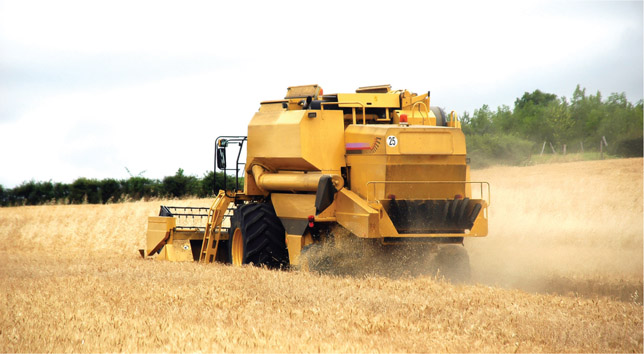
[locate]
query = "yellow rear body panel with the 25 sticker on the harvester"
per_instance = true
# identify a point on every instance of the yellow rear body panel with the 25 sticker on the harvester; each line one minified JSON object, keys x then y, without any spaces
{"x":418,"y":154}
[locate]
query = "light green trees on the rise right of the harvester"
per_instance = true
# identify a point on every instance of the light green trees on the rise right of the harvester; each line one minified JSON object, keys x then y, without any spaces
{"x":513,"y":135}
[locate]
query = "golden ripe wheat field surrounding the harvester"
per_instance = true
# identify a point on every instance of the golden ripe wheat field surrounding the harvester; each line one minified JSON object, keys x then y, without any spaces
{"x":561,"y":271}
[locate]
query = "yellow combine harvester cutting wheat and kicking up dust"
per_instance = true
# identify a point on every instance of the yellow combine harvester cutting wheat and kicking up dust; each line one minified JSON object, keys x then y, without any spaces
{"x":378,"y":163}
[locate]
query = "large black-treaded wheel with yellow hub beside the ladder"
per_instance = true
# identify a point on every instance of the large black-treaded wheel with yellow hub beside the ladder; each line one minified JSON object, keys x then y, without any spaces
{"x":257,"y":237}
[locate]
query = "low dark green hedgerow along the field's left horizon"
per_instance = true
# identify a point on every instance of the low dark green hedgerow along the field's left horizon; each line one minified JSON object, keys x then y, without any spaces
{"x":94,"y":191}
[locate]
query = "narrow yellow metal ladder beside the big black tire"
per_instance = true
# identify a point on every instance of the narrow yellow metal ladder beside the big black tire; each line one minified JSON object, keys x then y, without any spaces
{"x":216,"y":214}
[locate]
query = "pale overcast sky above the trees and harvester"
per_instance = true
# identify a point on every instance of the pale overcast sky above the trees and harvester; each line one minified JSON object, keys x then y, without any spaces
{"x":88,"y":88}
